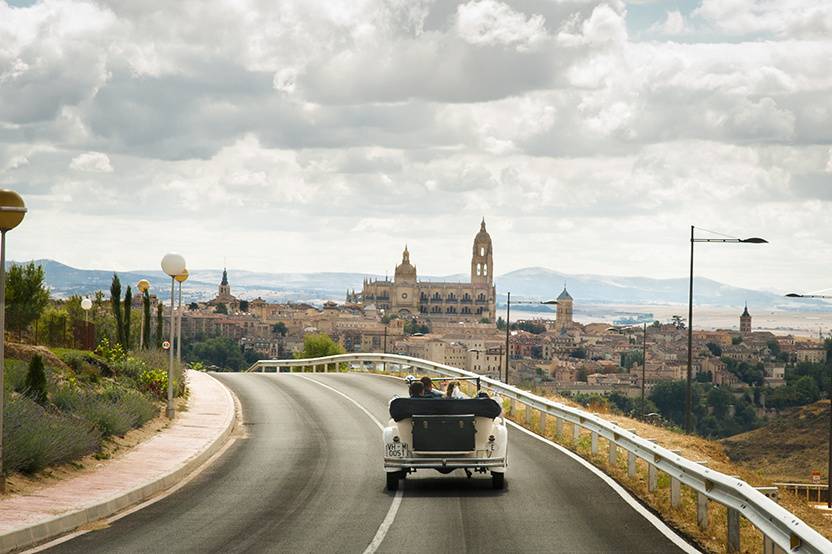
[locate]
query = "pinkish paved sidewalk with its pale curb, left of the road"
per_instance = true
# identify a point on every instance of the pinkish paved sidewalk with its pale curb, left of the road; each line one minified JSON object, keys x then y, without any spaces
{"x":151,"y":467}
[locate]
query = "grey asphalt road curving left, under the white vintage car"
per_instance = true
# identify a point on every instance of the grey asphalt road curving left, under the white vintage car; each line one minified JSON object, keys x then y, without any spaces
{"x":307,"y":477}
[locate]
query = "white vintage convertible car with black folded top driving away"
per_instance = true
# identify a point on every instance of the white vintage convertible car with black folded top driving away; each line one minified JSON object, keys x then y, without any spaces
{"x":445,"y":434}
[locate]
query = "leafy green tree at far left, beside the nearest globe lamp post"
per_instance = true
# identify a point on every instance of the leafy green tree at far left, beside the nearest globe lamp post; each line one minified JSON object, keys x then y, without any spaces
{"x":26,"y":296}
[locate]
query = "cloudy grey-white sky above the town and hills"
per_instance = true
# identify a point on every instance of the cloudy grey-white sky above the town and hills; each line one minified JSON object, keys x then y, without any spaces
{"x":314,"y":135}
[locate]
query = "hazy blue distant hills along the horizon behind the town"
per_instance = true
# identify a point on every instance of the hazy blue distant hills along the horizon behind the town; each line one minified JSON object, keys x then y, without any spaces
{"x":529,"y":283}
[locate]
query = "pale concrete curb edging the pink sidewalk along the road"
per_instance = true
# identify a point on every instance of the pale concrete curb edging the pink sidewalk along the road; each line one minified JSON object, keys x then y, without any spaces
{"x":32,"y":535}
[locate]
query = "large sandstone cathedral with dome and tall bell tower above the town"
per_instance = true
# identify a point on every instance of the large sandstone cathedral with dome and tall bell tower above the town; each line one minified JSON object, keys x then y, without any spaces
{"x":407,"y":296}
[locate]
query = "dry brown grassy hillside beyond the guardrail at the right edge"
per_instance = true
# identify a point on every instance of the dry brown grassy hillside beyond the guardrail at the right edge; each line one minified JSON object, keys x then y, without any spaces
{"x":788,"y":448}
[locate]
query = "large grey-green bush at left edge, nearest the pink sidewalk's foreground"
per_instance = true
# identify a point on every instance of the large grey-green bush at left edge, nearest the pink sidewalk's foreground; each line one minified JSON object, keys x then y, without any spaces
{"x":34,"y":438}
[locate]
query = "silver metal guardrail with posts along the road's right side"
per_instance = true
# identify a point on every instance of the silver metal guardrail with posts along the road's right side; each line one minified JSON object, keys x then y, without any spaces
{"x":778,"y":526}
